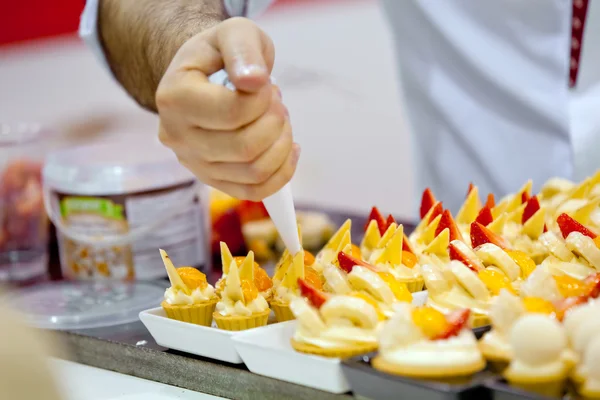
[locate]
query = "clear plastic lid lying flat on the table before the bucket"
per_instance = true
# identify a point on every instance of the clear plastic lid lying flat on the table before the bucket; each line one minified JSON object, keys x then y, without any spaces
{"x":84,"y":305}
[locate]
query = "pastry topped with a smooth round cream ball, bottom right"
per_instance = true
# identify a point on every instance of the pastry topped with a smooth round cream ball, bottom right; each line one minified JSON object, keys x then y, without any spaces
{"x":540,"y":361}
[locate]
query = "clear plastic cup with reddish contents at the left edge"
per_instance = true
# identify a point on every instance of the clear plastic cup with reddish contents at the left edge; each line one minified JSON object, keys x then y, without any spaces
{"x":23,"y":221}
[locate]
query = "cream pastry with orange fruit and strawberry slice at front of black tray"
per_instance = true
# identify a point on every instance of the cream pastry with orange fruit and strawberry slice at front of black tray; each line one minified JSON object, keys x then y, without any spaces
{"x":423,"y":343}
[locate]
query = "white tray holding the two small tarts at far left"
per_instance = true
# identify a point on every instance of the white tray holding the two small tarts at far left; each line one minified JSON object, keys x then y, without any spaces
{"x":204,"y":341}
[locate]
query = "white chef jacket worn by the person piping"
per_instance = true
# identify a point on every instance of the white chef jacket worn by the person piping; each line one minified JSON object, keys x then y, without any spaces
{"x":486,"y":87}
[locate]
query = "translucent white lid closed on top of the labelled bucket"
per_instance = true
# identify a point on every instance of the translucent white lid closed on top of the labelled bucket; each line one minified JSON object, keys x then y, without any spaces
{"x":114,"y":168}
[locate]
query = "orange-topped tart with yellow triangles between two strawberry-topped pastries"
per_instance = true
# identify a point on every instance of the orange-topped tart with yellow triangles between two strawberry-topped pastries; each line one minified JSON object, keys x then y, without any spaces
{"x":388,"y":257}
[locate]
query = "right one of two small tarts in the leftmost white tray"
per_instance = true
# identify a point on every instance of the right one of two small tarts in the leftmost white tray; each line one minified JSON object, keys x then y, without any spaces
{"x":241,"y":305}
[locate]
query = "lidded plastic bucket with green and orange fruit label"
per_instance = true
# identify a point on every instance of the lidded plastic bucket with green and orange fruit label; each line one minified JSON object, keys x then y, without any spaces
{"x":115,"y":204}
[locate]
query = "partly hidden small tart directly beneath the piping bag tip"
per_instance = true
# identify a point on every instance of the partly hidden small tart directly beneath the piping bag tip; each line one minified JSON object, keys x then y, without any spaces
{"x":290,"y":270}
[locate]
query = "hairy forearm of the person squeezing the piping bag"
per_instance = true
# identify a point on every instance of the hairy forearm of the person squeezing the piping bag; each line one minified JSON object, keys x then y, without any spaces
{"x":140,"y":38}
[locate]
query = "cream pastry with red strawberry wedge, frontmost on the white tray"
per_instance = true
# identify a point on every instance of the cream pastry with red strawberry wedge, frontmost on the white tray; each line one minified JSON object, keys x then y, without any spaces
{"x":333,"y":325}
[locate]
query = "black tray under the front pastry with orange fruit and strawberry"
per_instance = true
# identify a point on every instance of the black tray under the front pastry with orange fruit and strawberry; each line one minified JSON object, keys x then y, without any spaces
{"x":366,"y":381}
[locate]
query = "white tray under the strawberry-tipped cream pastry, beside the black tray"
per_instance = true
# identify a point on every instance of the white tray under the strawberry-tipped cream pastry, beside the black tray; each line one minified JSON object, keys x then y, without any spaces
{"x":267,"y":351}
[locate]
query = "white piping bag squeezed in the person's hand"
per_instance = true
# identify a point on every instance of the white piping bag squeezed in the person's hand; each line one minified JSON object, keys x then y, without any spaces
{"x":280,"y":205}
